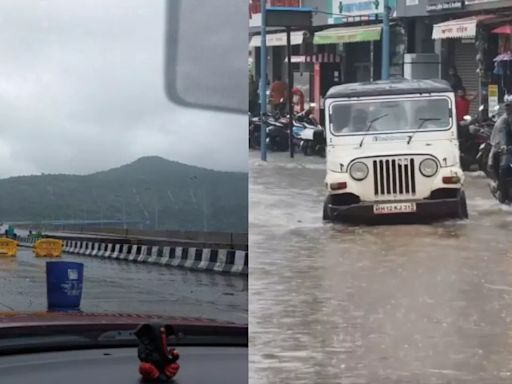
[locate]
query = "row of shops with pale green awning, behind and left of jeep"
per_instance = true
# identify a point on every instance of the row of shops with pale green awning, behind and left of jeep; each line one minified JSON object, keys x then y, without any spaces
{"x":341,"y":29}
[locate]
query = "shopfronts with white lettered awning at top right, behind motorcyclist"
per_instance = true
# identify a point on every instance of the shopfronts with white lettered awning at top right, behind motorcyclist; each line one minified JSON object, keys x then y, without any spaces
{"x":464,"y":34}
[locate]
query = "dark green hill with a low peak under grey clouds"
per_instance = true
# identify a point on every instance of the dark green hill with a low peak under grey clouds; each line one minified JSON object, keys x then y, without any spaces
{"x":185,"y":197}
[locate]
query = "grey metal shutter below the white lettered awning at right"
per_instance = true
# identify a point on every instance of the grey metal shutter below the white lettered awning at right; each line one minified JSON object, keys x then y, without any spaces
{"x":465,"y":61}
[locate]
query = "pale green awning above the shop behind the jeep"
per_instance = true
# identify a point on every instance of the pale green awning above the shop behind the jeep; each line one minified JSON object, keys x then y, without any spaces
{"x":348,"y":34}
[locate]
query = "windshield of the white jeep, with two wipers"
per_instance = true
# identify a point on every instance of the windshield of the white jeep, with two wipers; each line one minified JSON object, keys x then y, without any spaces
{"x":390,"y":115}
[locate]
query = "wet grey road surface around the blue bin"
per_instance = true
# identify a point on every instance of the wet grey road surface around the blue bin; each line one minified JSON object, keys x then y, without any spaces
{"x":116,"y":286}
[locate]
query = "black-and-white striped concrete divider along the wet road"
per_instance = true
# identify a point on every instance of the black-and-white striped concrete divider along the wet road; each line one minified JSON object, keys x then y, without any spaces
{"x":215,"y":260}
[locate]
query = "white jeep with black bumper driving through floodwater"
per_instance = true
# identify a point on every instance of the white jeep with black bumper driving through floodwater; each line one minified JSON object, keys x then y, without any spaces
{"x":392,"y":149}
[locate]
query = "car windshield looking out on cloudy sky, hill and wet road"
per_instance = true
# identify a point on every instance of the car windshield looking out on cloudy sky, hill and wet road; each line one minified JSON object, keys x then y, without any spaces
{"x":147,"y":196}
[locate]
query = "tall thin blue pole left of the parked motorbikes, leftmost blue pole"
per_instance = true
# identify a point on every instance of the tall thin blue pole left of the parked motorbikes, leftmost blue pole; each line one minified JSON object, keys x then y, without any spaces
{"x":263,"y":80}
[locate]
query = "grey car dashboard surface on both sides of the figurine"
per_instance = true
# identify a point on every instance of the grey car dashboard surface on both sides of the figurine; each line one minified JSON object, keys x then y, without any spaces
{"x":212,"y":365}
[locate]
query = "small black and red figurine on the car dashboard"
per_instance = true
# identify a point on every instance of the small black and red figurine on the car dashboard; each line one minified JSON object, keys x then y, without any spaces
{"x":157,"y":362}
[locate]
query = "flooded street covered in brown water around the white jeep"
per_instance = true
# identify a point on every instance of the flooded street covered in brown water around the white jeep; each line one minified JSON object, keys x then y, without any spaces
{"x":383,"y":304}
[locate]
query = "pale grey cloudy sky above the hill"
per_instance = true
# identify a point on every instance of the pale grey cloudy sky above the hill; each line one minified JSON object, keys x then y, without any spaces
{"x":82,"y":90}
